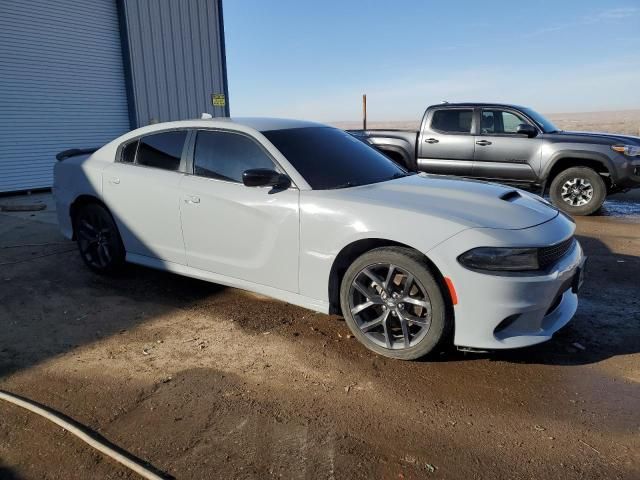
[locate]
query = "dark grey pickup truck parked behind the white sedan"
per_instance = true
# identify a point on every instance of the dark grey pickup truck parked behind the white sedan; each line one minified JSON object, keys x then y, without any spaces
{"x":518,"y":146}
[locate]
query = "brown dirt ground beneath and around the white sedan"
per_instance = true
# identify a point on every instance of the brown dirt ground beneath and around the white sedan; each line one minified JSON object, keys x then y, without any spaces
{"x":210,"y":382}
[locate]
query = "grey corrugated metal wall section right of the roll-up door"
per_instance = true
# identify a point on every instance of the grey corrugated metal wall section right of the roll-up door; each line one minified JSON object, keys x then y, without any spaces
{"x":176,"y":58}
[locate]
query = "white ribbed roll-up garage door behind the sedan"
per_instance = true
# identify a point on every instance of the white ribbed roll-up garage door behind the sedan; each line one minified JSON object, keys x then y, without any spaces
{"x":61,"y":84}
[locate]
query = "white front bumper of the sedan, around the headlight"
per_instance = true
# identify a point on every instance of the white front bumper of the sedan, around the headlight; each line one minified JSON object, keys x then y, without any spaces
{"x":510,"y":311}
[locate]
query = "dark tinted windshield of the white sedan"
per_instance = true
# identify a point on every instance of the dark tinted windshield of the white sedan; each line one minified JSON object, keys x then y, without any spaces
{"x":329,"y":158}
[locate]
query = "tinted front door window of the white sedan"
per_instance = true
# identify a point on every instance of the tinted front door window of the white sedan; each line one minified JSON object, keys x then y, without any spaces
{"x":226,"y":156}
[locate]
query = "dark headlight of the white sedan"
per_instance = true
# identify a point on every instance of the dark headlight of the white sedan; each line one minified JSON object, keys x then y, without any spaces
{"x":498,"y":258}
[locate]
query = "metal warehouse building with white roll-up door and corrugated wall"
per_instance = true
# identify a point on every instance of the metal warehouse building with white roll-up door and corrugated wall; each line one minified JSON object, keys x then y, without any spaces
{"x":78,"y":73}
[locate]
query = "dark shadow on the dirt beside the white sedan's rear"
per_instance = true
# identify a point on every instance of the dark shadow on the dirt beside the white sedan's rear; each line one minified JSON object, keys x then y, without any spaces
{"x":51,"y":303}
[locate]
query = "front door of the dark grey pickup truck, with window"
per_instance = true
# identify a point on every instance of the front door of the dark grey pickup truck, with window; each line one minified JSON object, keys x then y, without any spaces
{"x":500,"y":152}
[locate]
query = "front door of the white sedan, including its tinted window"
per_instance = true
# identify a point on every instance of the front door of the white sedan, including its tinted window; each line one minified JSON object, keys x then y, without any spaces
{"x":247,"y":233}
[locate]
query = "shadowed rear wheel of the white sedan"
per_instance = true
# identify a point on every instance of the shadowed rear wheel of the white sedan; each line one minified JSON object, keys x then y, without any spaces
{"x":98,"y":239}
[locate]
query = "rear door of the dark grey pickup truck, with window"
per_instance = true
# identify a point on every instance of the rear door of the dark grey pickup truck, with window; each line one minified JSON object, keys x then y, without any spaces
{"x":446,"y":142}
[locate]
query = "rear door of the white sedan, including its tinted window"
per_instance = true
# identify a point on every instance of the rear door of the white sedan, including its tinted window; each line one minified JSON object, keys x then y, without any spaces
{"x":142,"y":191}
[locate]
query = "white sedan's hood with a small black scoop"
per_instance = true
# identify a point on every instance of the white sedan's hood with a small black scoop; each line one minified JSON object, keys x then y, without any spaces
{"x":471,"y":203}
